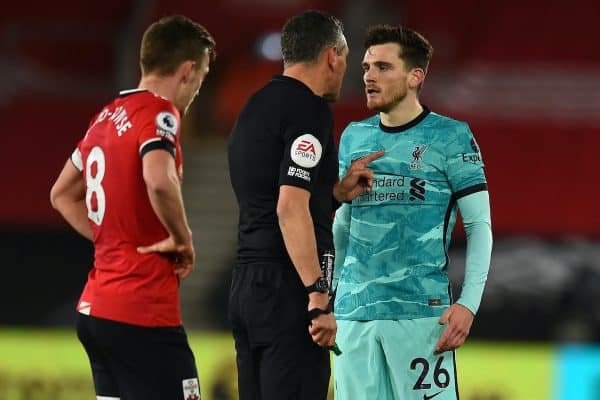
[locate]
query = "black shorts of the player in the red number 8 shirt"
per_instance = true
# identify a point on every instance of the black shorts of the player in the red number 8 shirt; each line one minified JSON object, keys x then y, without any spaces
{"x":132,"y":362}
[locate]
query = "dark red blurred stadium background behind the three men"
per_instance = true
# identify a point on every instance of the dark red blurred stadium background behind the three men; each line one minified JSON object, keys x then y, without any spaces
{"x":526,"y":76}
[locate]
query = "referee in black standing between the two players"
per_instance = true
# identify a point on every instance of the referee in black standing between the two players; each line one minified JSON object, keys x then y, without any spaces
{"x":283,"y":169}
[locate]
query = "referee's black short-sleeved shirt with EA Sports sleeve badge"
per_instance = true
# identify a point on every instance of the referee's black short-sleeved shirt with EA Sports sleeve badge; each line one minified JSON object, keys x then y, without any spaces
{"x":283,"y":136}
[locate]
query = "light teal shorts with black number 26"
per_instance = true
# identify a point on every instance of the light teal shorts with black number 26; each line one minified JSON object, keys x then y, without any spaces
{"x":393,"y":360}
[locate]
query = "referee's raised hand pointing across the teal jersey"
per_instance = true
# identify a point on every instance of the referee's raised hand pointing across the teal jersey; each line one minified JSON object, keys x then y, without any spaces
{"x":358,"y":178}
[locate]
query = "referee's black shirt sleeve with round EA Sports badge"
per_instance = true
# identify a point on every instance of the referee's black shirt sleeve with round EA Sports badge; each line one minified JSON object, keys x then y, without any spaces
{"x":305,"y":137}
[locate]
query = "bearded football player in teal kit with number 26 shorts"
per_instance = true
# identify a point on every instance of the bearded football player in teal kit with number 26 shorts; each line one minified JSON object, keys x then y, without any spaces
{"x":398,"y":324}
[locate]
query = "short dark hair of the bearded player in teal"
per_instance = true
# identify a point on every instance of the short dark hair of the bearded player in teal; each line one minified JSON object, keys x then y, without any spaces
{"x":415,"y":50}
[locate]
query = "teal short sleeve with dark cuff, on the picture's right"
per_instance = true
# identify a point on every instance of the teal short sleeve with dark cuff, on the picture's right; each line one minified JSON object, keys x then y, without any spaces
{"x":464,"y":164}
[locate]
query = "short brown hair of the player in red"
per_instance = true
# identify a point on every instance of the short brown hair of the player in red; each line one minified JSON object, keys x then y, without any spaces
{"x":172,"y":40}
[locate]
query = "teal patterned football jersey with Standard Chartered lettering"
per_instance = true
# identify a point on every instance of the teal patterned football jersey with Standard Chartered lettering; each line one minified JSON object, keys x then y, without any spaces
{"x":395,"y":264}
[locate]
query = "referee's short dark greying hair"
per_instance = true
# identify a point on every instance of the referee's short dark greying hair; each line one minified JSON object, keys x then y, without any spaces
{"x":305,"y":35}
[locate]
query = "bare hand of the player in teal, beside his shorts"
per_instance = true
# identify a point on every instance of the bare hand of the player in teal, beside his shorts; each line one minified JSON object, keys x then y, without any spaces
{"x":458,"y":320}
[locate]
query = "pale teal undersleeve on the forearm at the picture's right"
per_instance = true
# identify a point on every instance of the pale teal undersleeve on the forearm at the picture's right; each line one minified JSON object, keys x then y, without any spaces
{"x":475,"y":212}
